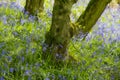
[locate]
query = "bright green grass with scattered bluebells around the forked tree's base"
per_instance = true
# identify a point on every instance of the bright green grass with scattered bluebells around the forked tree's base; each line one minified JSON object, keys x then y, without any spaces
{"x":21,"y":39}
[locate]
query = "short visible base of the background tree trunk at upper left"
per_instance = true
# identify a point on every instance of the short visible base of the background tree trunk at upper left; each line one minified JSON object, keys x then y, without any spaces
{"x":34,"y":6}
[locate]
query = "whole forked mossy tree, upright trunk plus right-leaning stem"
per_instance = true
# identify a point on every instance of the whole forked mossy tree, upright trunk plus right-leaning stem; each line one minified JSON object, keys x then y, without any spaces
{"x":61,"y":31}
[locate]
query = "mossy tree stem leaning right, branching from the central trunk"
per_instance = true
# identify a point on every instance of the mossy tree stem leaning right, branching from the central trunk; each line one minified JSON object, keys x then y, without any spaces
{"x":89,"y":17}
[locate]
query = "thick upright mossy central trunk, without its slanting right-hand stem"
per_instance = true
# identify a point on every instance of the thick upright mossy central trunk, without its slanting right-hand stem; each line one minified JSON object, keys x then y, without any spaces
{"x":58,"y":37}
